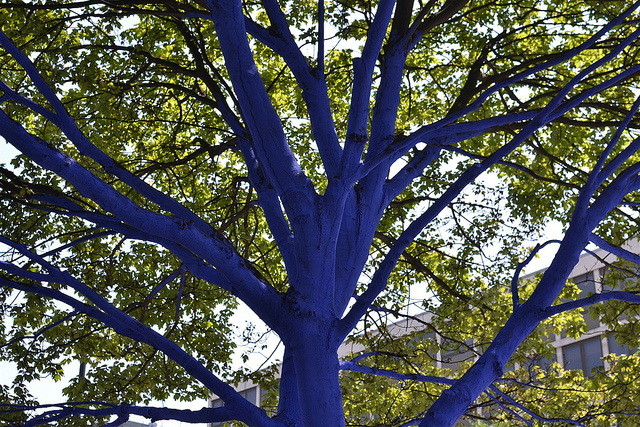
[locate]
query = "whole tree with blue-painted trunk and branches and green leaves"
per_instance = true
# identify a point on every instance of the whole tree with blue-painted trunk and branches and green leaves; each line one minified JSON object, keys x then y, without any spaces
{"x":314,"y":162}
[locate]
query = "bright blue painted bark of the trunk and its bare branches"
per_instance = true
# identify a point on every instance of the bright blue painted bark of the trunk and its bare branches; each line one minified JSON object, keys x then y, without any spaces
{"x":325,"y":239}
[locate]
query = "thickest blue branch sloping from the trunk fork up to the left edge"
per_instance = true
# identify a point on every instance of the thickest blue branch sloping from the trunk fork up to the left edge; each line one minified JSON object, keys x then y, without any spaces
{"x":175,"y":232}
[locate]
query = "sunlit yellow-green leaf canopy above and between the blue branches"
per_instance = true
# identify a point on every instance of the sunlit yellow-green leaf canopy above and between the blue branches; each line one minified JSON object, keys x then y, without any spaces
{"x":146,"y":83}
